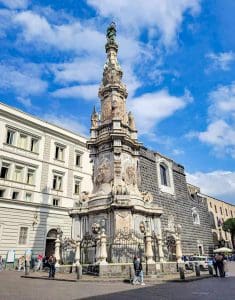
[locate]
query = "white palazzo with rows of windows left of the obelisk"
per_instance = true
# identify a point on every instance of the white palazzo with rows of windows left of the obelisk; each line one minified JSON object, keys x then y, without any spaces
{"x":43,"y":169}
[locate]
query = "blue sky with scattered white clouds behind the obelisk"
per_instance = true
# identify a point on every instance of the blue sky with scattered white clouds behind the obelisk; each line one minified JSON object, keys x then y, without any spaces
{"x":178,"y":58}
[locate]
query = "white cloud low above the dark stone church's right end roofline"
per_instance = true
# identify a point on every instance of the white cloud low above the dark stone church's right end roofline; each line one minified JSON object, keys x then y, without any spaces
{"x":219,"y":184}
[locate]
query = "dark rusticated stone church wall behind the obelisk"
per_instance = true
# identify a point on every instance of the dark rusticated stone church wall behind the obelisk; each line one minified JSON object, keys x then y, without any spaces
{"x":179,"y":205}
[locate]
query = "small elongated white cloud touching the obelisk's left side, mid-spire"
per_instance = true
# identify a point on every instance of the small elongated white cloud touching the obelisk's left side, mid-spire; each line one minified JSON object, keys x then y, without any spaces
{"x":86,"y":92}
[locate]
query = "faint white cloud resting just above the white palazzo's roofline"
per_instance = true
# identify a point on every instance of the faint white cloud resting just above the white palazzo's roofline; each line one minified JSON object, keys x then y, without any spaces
{"x":69,"y":122}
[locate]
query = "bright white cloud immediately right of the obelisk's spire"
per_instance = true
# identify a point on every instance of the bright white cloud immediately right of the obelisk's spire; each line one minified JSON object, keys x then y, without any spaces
{"x":149,"y":109}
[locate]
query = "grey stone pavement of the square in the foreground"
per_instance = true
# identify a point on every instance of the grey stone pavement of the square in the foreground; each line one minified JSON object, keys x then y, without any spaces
{"x":13,"y":287}
